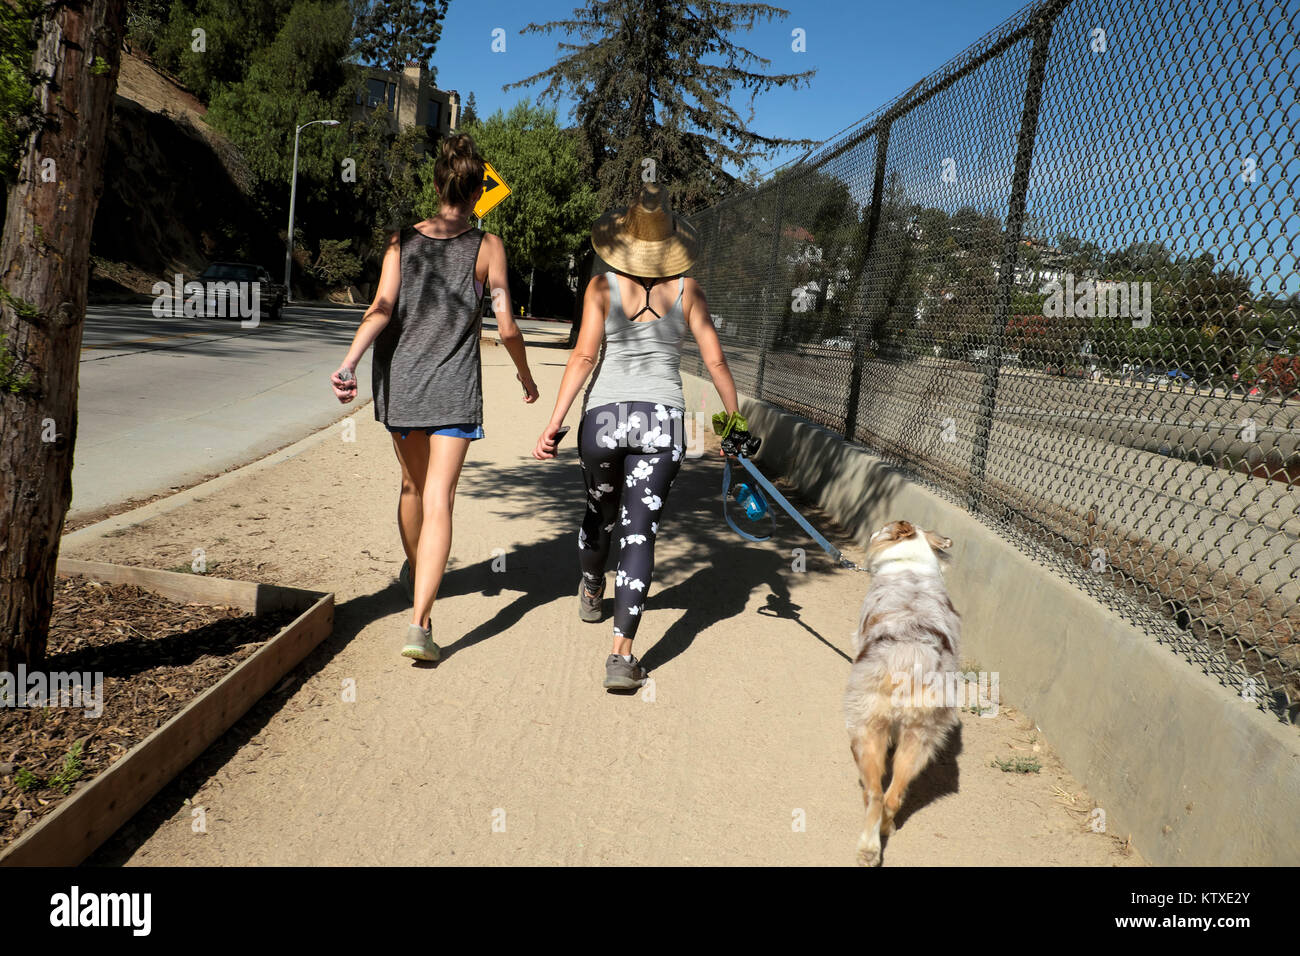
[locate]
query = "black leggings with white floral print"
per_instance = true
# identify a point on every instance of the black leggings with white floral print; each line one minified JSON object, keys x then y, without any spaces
{"x":631,"y":453}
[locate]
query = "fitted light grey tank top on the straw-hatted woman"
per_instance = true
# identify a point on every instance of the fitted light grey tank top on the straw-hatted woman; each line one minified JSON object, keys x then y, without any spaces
{"x":640,"y":362}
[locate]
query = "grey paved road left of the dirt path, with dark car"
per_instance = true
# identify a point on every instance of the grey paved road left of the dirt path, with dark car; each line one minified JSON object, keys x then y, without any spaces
{"x":166,"y":403}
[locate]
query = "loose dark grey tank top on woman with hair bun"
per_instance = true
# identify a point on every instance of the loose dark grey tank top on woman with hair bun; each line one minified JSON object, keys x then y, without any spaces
{"x":426,"y":365}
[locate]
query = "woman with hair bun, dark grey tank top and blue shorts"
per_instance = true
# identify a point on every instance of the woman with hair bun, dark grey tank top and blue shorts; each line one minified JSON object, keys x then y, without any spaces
{"x":427,"y":378}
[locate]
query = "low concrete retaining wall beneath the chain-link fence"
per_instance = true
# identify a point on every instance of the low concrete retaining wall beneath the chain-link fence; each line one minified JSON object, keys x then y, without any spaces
{"x":1195,"y":775}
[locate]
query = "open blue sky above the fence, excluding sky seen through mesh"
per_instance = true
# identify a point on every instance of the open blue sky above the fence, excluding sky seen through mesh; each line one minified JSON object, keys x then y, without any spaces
{"x":865,"y":55}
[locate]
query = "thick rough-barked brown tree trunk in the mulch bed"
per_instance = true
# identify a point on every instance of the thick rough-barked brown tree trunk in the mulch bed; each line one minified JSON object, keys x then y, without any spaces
{"x":45,"y":258}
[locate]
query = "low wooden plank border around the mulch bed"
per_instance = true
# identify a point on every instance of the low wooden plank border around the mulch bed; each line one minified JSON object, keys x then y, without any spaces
{"x":94,"y":814}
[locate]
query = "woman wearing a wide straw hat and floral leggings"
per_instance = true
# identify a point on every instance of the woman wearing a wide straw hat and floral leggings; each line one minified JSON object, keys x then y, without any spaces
{"x":632,"y":432}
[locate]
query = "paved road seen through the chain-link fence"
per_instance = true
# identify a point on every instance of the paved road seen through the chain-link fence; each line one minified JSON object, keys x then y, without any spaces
{"x":1065,"y":447}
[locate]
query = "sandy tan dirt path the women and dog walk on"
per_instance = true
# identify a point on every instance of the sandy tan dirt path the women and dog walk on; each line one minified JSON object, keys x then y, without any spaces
{"x":509,"y":751}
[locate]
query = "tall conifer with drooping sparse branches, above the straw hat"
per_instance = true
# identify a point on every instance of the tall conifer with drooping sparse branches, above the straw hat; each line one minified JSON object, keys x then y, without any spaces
{"x":653,"y":81}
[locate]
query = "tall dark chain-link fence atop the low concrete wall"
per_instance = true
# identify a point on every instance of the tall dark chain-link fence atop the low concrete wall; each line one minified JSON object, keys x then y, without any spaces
{"x":1056,"y":282}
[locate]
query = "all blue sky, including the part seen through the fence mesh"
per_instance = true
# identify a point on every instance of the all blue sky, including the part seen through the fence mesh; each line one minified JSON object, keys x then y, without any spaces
{"x":1108,"y":167}
